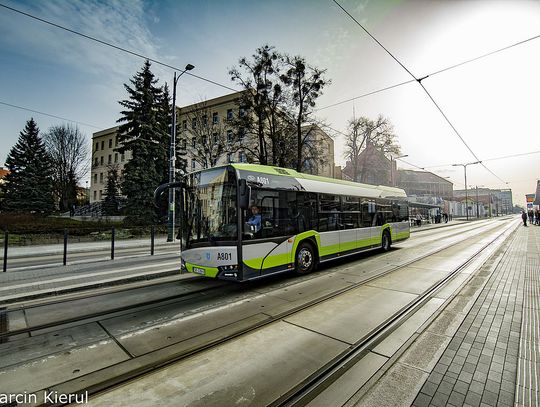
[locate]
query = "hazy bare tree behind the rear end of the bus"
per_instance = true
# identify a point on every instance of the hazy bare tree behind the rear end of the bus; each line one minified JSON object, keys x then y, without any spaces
{"x":361,"y":132}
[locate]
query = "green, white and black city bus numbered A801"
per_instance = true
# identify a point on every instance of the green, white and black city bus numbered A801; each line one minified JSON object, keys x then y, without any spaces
{"x":246,"y":221}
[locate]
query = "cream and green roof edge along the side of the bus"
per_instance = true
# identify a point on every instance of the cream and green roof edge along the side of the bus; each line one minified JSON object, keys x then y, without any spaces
{"x":314,"y":183}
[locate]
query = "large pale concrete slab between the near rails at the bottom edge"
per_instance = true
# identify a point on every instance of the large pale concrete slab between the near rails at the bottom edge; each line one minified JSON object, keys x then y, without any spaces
{"x":231,"y":374}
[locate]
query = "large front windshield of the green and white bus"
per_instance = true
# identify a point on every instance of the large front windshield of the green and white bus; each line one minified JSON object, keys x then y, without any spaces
{"x":210,"y":207}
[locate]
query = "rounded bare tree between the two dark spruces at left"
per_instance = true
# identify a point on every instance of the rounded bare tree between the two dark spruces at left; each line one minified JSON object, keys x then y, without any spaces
{"x":68,"y":149}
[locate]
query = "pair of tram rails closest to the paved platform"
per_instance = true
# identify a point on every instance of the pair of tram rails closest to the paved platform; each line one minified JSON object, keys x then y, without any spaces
{"x":108,"y":378}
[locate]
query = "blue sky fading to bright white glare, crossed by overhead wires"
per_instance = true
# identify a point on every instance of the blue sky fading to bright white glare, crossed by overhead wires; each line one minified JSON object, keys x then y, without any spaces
{"x":492,"y":102}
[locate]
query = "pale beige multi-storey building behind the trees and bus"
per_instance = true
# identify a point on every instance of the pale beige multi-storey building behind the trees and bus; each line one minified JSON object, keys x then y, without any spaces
{"x":207,"y":120}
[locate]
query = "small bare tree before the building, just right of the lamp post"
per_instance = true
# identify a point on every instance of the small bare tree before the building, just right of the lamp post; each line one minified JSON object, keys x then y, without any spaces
{"x":208,"y":141}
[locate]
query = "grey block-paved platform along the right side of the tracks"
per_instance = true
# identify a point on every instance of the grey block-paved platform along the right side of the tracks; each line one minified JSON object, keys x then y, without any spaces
{"x":482,"y":350}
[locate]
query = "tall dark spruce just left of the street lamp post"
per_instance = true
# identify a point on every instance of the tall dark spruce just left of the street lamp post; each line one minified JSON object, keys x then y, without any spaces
{"x":145,"y":132}
